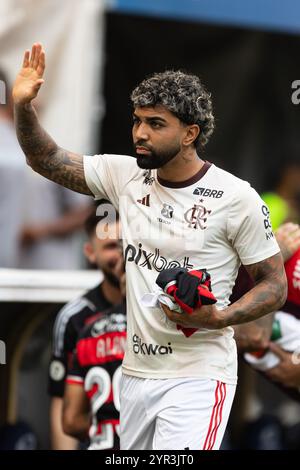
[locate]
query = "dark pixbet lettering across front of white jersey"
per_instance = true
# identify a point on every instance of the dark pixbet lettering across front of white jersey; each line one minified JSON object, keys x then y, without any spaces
{"x":154,"y":260}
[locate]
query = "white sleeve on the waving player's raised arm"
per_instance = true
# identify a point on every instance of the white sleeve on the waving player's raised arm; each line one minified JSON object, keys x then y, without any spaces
{"x":107,"y":175}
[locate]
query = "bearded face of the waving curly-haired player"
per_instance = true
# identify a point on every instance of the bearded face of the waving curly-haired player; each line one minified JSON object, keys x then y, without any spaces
{"x":157,"y":136}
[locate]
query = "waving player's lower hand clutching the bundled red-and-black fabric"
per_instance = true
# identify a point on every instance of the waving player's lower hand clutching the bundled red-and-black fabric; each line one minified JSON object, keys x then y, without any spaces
{"x":208,"y":316}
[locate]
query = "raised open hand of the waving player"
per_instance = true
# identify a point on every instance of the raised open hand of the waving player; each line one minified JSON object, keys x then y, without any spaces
{"x":30,"y":78}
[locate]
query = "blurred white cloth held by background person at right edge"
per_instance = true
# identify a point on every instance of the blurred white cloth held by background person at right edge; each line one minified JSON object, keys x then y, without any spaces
{"x":289,"y":340}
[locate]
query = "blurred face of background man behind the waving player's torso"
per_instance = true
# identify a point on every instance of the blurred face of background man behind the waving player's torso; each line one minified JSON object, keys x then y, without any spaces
{"x":103,"y":249}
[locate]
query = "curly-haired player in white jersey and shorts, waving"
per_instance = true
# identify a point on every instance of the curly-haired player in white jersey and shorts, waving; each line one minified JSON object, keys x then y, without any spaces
{"x":176,"y":210}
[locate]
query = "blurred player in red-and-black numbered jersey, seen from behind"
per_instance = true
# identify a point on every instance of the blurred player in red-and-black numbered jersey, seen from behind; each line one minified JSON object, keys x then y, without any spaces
{"x":91,"y":400}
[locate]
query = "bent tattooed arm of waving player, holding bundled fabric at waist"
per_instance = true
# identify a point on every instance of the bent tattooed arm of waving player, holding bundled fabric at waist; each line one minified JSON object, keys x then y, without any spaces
{"x":268,"y":295}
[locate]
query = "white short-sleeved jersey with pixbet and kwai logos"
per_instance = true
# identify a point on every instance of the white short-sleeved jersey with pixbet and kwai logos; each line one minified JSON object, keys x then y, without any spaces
{"x":213,"y":221}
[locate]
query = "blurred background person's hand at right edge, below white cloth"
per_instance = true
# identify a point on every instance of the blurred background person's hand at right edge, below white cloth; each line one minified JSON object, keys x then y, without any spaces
{"x":288,"y":370}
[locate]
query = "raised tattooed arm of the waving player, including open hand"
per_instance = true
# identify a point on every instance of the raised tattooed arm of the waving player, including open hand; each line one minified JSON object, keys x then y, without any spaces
{"x":42,"y":153}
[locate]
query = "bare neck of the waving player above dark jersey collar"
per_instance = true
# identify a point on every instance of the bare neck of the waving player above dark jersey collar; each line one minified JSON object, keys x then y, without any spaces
{"x":184,"y":166}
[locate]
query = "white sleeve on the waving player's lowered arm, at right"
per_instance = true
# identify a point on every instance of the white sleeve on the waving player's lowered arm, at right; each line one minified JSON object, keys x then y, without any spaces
{"x":249,"y":227}
